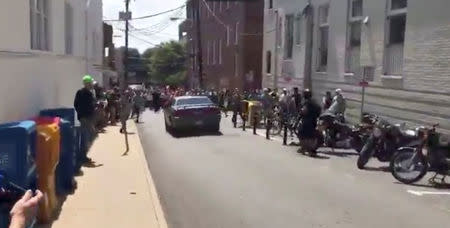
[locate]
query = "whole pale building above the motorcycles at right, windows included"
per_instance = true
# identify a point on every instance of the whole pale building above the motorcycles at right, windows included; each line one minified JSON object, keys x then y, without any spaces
{"x":324,"y":45}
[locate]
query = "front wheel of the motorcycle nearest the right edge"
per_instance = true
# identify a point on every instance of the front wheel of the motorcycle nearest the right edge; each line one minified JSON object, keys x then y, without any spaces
{"x":411,"y":173}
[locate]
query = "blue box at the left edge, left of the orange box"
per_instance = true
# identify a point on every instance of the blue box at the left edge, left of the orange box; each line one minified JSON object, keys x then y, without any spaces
{"x":18,"y":152}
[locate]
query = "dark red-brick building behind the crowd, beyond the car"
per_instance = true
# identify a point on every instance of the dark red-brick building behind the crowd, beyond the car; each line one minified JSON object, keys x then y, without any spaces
{"x":231,"y":43}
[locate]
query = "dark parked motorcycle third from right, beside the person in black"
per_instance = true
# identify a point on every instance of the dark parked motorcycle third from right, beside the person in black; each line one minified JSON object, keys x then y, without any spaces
{"x":338,"y":134}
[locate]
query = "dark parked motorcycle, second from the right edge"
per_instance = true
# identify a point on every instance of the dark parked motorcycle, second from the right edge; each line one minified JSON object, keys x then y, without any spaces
{"x":384,"y":141}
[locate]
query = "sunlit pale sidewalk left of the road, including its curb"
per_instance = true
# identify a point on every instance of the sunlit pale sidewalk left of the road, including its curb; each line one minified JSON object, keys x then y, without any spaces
{"x":118,"y":192}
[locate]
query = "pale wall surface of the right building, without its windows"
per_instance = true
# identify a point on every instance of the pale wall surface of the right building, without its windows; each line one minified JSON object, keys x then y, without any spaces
{"x":420,"y":96}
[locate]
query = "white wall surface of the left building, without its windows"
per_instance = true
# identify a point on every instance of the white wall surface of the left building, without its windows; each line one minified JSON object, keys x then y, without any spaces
{"x":33,"y":80}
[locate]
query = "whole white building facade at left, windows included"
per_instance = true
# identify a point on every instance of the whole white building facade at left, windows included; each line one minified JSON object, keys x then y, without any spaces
{"x":45,"y":48}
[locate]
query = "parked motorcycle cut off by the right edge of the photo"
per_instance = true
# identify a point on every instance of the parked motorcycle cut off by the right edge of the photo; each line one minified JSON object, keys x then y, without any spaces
{"x":411,"y":164}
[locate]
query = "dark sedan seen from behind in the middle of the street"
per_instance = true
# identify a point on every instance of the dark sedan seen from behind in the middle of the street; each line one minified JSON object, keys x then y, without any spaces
{"x":188,"y":112}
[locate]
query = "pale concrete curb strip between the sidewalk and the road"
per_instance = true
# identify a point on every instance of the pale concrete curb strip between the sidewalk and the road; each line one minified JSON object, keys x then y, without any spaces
{"x":162,"y":223}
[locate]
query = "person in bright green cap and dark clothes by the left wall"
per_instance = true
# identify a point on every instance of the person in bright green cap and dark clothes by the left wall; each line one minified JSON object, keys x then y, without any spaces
{"x":85,"y":106}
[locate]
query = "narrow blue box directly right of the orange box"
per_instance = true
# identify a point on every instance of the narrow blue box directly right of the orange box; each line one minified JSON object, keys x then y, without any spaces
{"x":66,"y":167}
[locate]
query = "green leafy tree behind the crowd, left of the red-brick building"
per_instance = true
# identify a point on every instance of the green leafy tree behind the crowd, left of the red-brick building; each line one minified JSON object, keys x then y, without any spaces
{"x":167,"y":63}
